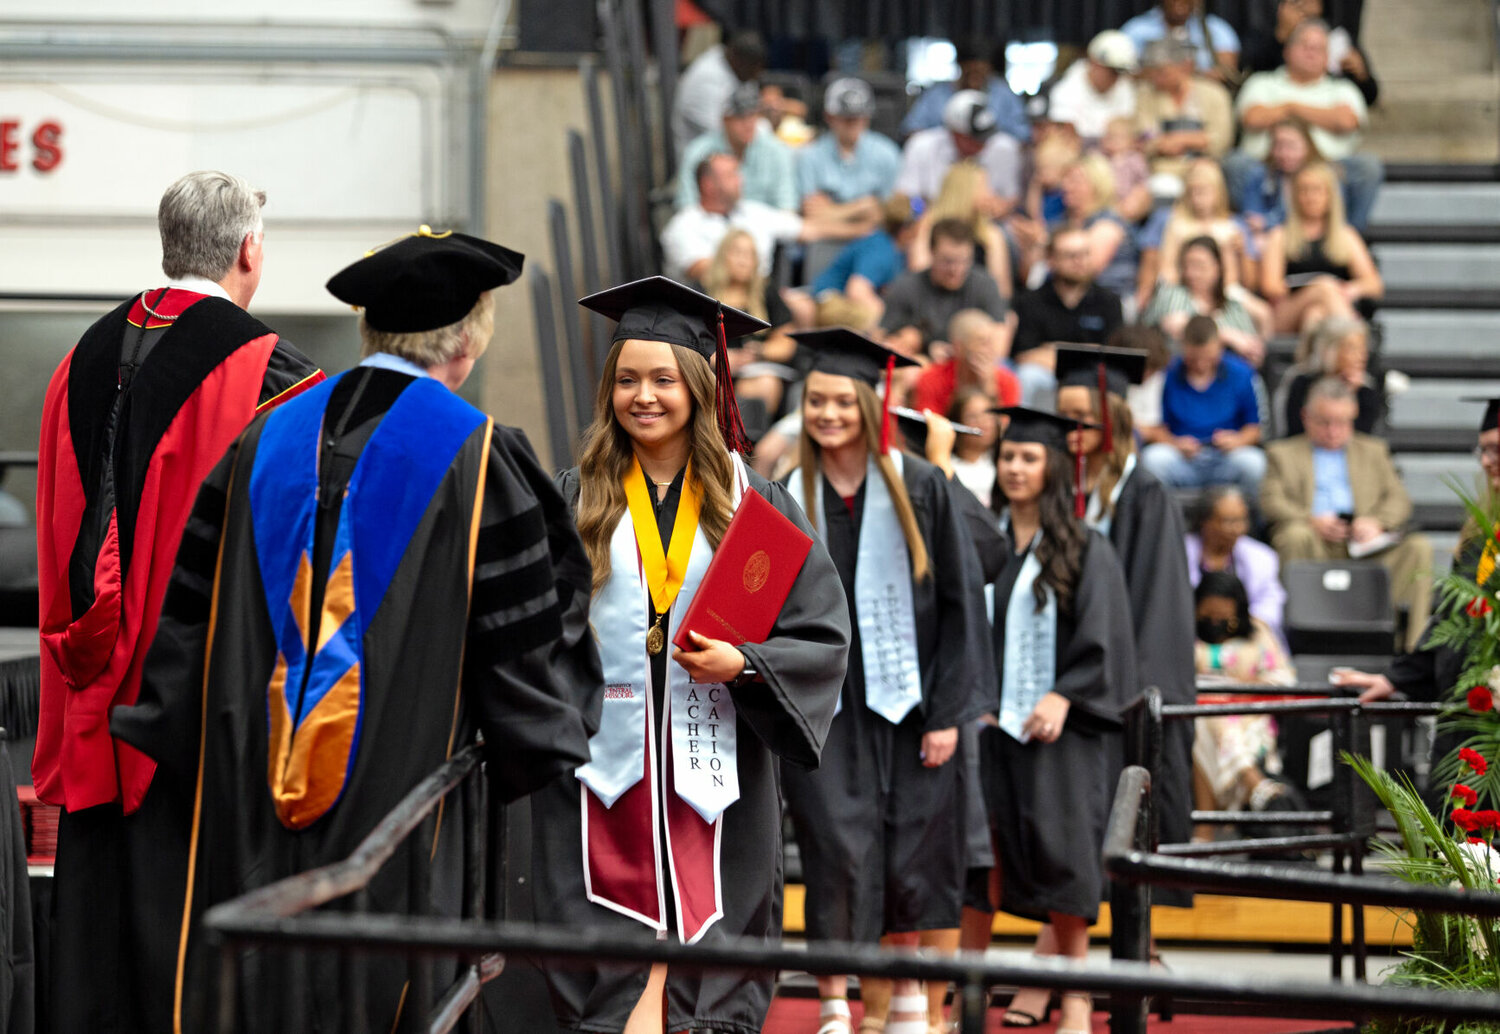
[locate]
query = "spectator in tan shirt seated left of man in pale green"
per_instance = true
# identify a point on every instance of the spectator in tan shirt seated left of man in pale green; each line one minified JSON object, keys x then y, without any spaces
{"x":1180,"y":116}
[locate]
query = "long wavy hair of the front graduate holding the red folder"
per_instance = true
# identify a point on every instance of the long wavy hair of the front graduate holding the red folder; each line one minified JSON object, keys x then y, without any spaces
{"x":608,"y":452}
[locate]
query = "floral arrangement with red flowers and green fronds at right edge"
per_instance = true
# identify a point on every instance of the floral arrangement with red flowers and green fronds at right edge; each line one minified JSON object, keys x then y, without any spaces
{"x":1450,"y":840}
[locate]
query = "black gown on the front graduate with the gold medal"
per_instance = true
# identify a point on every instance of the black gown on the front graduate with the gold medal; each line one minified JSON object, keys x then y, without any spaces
{"x":785,"y":717}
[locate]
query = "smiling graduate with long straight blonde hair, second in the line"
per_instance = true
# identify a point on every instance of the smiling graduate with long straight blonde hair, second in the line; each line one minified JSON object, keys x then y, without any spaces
{"x":881,"y":825}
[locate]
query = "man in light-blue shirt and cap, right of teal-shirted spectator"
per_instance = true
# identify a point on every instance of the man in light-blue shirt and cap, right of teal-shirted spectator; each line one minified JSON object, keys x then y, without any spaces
{"x":851,"y":164}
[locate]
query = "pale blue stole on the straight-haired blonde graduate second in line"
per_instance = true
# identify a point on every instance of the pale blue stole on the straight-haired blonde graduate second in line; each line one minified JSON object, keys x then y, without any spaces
{"x":883,"y":597}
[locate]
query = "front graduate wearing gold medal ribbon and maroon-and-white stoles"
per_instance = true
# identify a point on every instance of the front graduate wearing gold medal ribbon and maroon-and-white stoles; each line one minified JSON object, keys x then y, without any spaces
{"x":646,"y":838}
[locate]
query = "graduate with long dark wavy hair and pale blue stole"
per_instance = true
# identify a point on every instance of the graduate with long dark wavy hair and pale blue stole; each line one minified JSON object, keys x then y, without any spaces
{"x":1066,"y":652}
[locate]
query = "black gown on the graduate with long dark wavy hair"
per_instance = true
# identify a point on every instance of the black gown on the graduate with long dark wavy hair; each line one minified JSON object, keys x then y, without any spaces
{"x":1051,"y":801}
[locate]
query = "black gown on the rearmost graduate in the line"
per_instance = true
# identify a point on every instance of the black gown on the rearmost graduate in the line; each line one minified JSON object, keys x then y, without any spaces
{"x":1147,"y":535}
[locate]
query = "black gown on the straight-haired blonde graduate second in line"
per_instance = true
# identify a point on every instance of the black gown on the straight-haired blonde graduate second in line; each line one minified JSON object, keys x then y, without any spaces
{"x":884,"y":838}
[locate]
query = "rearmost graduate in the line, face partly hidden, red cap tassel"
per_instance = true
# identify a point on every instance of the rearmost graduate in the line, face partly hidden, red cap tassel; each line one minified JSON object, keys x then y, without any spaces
{"x":1144,"y":523}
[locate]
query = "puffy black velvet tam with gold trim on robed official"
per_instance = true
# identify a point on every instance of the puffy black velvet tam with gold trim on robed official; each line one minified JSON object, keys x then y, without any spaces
{"x":425,"y":281}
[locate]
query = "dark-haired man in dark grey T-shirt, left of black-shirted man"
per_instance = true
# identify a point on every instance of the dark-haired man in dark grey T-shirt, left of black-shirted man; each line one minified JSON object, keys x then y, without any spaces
{"x":920,"y":305}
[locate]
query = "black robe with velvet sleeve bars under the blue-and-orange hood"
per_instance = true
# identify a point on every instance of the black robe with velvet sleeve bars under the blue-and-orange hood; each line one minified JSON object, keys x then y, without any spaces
{"x":514,"y":663}
